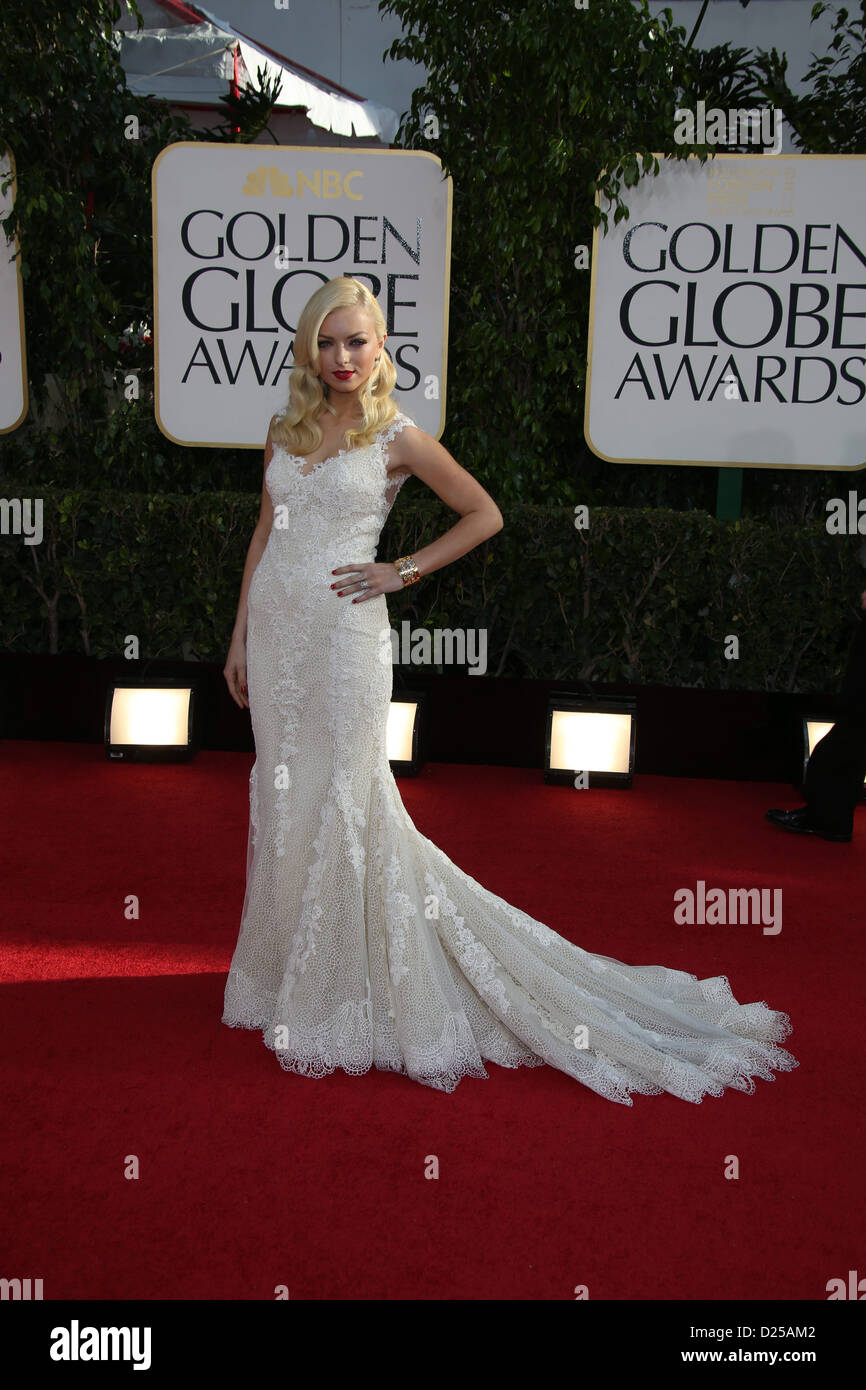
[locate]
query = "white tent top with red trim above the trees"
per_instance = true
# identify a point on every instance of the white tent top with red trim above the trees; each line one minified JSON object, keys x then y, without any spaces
{"x":191,"y":58}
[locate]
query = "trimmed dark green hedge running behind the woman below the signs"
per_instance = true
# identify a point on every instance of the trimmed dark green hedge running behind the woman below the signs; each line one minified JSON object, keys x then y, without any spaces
{"x":644,"y":597}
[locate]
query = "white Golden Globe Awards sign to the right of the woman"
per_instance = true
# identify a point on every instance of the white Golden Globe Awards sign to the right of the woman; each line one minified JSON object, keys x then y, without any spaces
{"x":728,"y":320}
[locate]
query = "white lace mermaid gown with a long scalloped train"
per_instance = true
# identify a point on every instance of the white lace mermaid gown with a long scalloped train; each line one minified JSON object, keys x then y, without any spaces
{"x":362,"y":945}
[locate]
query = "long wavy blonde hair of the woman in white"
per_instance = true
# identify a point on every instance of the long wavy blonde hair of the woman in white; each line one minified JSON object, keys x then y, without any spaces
{"x":297,"y":429}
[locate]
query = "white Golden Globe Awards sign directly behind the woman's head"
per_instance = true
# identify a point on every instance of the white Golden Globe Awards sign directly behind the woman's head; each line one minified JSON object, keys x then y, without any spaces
{"x":243,"y":237}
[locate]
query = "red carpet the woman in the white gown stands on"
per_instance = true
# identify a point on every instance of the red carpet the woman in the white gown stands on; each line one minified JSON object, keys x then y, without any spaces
{"x":254,"y":1178}
